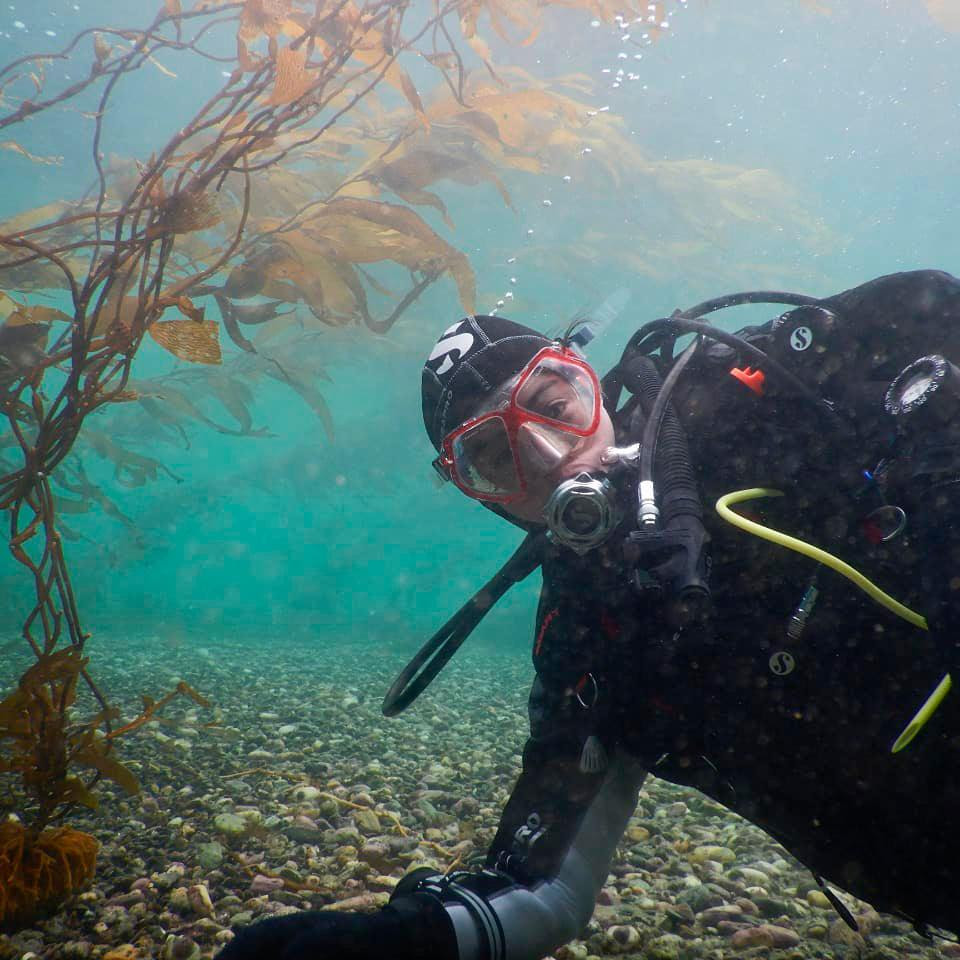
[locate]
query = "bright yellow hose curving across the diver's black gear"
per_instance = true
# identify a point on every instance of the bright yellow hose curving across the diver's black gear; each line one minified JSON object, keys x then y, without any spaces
{"x":844,"y":569}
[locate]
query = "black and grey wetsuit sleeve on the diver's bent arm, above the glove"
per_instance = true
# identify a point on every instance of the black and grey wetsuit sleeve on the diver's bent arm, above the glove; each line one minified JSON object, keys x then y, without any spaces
{"x":563,"y":821}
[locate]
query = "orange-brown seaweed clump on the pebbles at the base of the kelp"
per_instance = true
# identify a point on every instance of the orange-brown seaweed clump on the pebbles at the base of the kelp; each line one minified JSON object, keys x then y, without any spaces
{"x":36,"y":873}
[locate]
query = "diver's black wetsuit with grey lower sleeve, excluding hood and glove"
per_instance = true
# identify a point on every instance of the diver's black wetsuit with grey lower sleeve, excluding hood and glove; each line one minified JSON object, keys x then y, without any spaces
{"x":795,"y":735}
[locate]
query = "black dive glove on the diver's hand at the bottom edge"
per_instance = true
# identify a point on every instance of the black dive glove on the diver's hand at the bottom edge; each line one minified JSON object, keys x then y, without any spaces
{"x":410,"y":928}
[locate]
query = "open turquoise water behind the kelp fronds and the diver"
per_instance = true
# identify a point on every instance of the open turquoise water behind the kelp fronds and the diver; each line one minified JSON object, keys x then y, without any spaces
{"x":784,"y":147}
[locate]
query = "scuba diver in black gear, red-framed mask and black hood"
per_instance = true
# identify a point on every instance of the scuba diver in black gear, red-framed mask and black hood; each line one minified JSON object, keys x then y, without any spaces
{"x":749,"y":548}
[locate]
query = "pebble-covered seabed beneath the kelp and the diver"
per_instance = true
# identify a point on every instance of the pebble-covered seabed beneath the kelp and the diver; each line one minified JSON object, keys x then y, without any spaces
{"x":303,"y":796}
